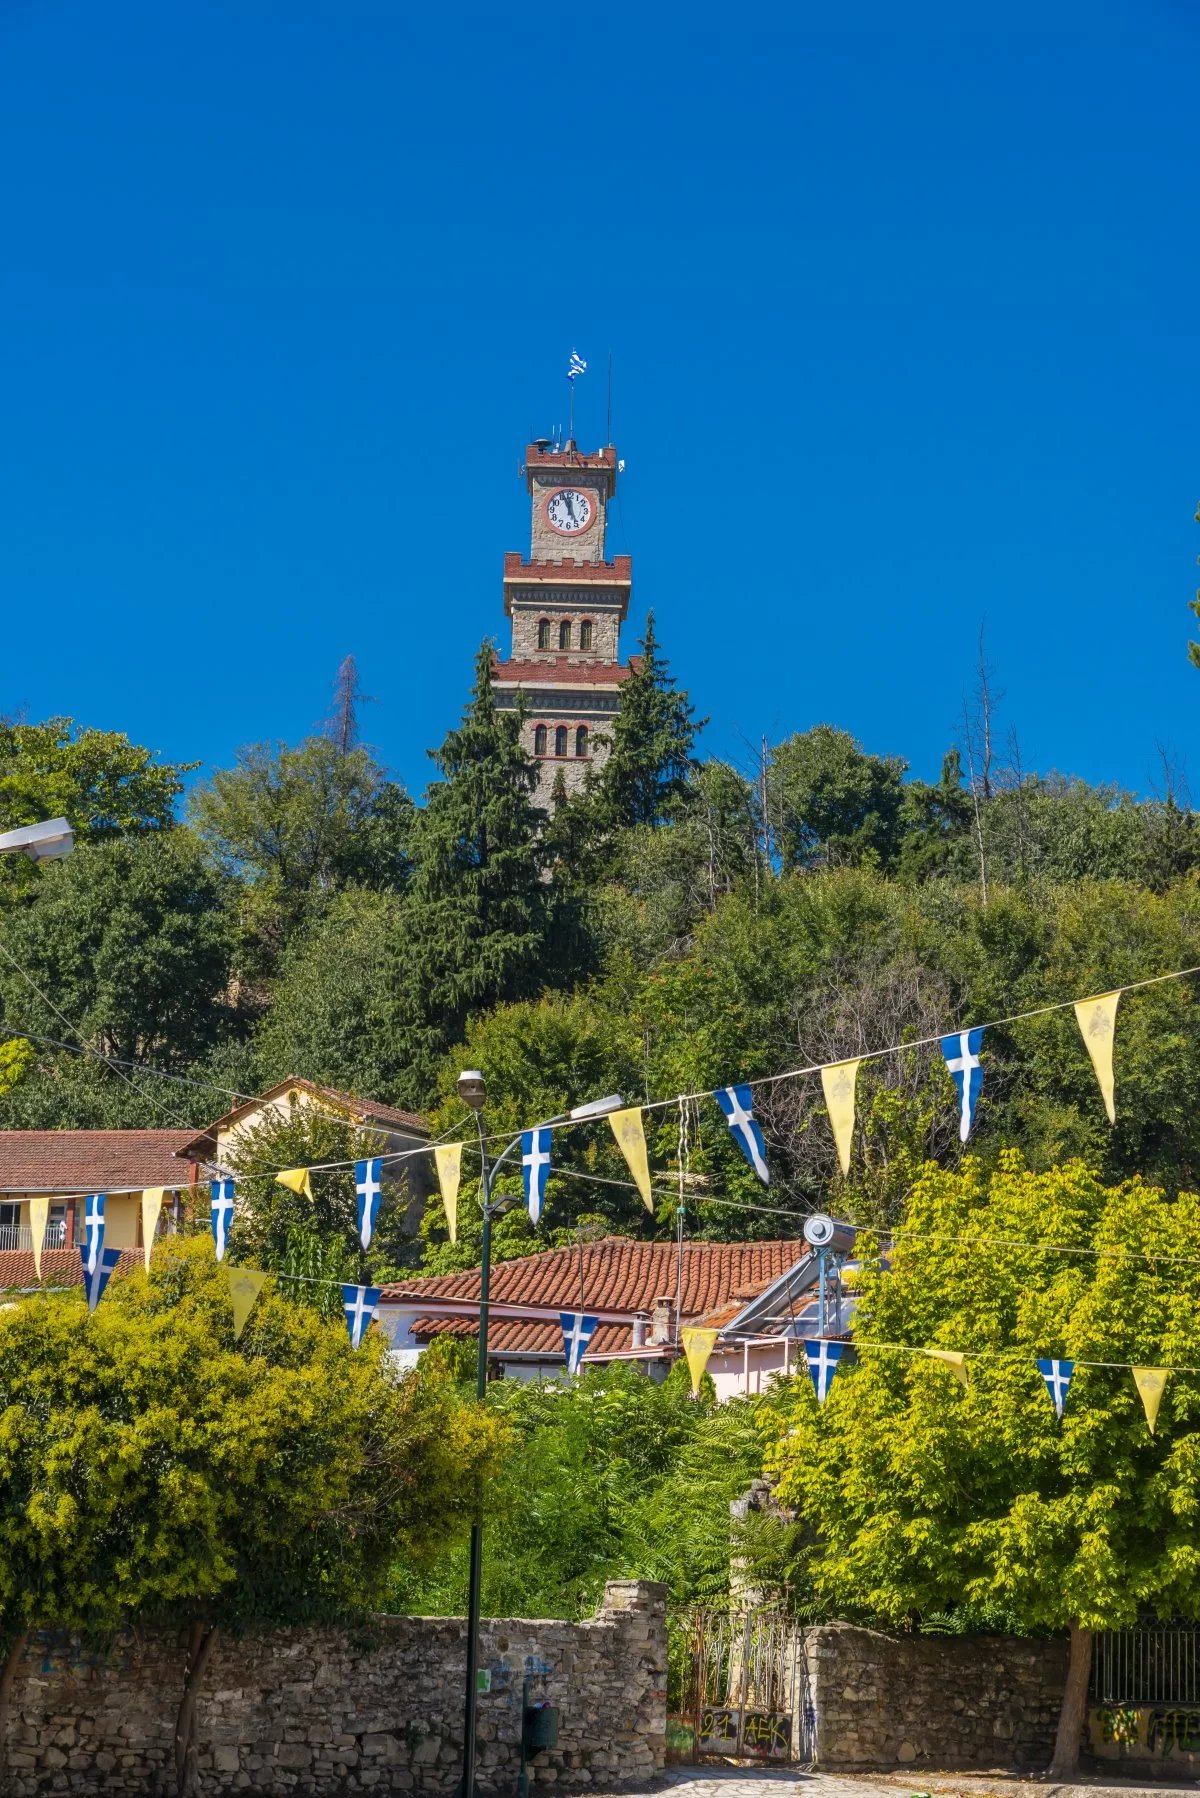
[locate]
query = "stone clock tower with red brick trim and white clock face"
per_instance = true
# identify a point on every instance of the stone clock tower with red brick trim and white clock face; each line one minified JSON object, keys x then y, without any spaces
{"x":568,"y":607}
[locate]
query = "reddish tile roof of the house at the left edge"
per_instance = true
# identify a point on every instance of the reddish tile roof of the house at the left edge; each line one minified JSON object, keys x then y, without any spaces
{"x":94,"y":1161}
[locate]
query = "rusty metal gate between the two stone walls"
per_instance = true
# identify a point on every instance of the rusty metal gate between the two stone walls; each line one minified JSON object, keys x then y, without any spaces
{"x":739,"y":1687}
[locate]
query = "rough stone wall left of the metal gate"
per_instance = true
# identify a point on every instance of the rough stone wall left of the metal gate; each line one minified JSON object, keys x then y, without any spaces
{"x":372,"y":1709}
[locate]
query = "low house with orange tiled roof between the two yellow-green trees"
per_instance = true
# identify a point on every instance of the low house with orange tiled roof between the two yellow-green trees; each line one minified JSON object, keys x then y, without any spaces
{"x":757,"y":1295}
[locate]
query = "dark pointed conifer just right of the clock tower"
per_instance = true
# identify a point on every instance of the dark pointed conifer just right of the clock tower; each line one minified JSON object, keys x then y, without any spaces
{"x":645,"y":779}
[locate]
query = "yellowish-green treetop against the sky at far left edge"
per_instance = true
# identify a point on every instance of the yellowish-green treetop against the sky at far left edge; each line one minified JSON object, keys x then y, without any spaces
{"x":96,"y":779}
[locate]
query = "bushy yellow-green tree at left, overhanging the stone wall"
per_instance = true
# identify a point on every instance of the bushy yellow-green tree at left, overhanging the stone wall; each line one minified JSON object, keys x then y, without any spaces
{"x":296,"y":1468}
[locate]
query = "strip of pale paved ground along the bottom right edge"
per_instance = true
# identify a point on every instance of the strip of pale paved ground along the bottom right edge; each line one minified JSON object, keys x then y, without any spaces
{"x":724,"y":1781}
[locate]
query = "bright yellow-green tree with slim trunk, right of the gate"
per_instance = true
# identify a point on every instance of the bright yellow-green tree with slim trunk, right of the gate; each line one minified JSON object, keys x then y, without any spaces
{"x":981,"y":1502}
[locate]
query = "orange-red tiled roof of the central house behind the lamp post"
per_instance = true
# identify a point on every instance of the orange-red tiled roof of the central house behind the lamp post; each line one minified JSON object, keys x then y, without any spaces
{"x":618,"y":1276}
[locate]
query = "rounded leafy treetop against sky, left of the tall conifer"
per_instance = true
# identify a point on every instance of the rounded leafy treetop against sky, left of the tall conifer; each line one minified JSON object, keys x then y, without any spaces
{"x":318,"y":817}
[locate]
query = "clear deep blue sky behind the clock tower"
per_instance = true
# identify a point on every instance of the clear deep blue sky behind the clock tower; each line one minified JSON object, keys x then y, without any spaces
{"x":904,"y":332}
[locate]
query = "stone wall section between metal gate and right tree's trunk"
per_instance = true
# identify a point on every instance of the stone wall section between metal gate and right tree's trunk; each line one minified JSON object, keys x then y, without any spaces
{"x":933,"y":1702}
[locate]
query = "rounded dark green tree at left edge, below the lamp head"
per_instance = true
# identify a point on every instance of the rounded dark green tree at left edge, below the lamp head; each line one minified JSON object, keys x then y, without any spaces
{"x":130,"y":941}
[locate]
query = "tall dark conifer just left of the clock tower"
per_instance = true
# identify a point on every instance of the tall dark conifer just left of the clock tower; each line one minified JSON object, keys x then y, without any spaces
{"x":476,"y":923}
